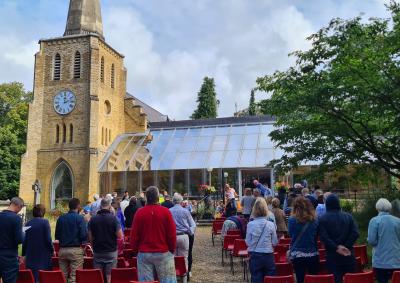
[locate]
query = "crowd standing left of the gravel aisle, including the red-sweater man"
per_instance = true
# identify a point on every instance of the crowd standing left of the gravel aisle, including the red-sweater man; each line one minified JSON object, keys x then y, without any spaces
{"x":158,"y":233}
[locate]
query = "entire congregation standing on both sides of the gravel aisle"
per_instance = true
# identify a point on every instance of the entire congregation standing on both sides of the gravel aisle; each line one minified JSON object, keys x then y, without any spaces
{"x":160,"y":232}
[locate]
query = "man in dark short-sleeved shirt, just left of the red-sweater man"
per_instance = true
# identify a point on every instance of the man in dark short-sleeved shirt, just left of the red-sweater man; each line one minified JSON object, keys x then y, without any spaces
{"x":104,"y":230}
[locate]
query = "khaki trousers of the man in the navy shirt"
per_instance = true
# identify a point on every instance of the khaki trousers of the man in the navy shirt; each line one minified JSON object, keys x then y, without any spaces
{"x":71,"y":259}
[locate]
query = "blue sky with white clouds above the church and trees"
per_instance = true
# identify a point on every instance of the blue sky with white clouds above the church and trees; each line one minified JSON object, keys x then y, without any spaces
{"x":171,"y":45}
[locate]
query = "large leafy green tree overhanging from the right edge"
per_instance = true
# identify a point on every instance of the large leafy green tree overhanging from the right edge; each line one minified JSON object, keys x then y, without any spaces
{"x":340,"y":103}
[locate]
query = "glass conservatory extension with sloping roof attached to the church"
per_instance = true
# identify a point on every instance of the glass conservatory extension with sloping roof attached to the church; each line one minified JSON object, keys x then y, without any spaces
{"x":182,"y":158}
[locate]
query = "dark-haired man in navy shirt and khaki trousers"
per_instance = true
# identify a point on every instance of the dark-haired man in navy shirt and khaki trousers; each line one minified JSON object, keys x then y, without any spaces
{"x":71,"y":232}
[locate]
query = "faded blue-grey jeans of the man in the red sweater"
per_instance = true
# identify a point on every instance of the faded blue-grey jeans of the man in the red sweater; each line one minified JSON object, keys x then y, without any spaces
{"x":160,"y":264}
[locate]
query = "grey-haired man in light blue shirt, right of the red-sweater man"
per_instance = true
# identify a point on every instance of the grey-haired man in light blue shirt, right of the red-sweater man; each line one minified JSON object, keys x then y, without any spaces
{"x":185,"y":227}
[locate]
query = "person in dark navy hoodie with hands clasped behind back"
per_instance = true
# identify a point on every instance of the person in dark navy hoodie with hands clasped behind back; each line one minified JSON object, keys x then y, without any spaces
{"x":339,"y":233}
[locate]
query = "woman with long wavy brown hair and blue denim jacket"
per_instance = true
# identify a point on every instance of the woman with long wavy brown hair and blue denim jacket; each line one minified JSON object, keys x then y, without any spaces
{"x":303,"y":229}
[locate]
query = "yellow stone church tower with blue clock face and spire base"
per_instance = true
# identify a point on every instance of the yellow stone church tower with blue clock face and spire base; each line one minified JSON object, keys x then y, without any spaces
{"x":79,"y":107}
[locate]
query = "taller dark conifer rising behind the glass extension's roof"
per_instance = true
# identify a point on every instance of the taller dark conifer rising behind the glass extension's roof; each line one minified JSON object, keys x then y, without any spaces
{"x":207,"y":101}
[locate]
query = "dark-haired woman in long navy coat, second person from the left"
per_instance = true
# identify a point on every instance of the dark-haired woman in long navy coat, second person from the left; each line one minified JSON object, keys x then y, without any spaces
{"x":37,"y":247}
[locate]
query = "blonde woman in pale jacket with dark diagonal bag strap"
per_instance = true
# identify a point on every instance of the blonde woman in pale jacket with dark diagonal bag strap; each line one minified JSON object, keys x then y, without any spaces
{"x":260,"y":239}
